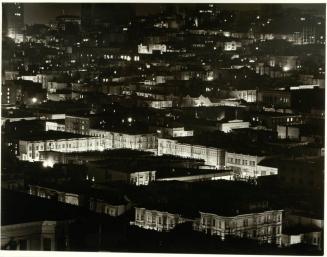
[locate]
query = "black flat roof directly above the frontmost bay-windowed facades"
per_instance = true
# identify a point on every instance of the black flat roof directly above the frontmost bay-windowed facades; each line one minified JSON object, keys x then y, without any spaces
{"x":226,"y":198}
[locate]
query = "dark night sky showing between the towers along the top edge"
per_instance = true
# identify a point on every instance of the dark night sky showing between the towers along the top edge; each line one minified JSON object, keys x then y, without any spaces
{"x":42,"y":12}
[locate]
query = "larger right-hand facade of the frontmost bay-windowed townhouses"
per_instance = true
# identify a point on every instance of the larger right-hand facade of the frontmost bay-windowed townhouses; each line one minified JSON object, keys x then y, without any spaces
{"x":264,"y":226}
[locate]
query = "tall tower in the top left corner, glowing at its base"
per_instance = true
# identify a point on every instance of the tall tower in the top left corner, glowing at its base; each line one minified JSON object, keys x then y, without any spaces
{"x":13,"y":21}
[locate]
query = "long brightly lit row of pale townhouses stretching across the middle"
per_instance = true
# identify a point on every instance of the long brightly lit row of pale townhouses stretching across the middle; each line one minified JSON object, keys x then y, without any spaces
{"x":243,"y":165}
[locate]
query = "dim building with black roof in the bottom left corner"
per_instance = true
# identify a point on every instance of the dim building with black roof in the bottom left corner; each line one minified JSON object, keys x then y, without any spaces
{"x":32,"y":223}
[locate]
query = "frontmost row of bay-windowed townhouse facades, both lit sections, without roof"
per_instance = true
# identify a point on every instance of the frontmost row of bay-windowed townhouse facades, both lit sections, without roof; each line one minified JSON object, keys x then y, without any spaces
{"x":265,"y":226}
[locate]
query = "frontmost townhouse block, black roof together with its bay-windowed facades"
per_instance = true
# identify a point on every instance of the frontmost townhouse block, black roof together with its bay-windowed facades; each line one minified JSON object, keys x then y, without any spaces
{"x":236,"y":216}
